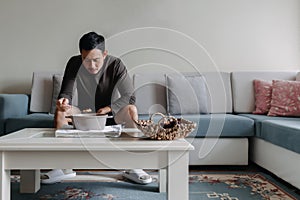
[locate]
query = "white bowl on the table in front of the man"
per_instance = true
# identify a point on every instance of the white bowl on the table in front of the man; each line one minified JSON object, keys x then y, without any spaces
{"x":89,"y":121}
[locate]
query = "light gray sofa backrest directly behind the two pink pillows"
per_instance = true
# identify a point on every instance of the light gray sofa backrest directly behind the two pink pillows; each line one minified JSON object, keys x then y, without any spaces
{"x":243,"y":90}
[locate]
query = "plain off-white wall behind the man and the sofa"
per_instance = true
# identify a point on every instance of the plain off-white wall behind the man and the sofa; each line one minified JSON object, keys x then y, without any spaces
{"x":191,"y":35}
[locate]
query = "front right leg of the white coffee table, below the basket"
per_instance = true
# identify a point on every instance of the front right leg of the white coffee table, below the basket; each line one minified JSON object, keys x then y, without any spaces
{"x":178,"y":176}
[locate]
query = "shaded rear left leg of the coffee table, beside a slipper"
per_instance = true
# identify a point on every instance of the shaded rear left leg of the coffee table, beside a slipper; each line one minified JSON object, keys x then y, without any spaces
{"x":30,"y":181}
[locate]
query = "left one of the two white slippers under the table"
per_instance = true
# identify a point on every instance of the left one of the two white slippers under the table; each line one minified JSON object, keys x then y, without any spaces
{"x":55,"y":176}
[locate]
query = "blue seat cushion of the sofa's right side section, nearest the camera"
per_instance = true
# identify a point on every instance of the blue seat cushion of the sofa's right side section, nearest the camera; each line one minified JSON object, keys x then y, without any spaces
{"x":284,"y":133}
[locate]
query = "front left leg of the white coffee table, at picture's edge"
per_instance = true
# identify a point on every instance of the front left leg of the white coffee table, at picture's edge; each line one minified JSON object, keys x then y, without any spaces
{"x":4,"y":178}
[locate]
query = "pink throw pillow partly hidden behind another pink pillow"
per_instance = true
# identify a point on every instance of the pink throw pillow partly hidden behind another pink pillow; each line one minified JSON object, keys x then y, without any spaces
{"x":263,"y":95}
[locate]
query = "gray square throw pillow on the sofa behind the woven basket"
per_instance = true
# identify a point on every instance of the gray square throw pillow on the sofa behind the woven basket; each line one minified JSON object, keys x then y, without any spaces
{"x":186,"y":94}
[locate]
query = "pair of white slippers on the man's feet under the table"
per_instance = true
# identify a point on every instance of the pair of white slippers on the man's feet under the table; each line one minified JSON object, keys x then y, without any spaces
{"x":57,"y":175}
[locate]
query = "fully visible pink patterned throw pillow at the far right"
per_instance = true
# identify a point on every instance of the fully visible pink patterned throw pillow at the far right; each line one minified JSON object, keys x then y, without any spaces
{"x":285,"y":98}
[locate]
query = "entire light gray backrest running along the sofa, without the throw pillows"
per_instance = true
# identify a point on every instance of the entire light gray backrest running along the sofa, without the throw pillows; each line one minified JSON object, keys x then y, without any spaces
{"x":227,"y":92}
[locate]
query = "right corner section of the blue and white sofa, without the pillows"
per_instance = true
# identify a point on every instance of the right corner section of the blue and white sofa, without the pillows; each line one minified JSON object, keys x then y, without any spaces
{"x":275,"y":145}
